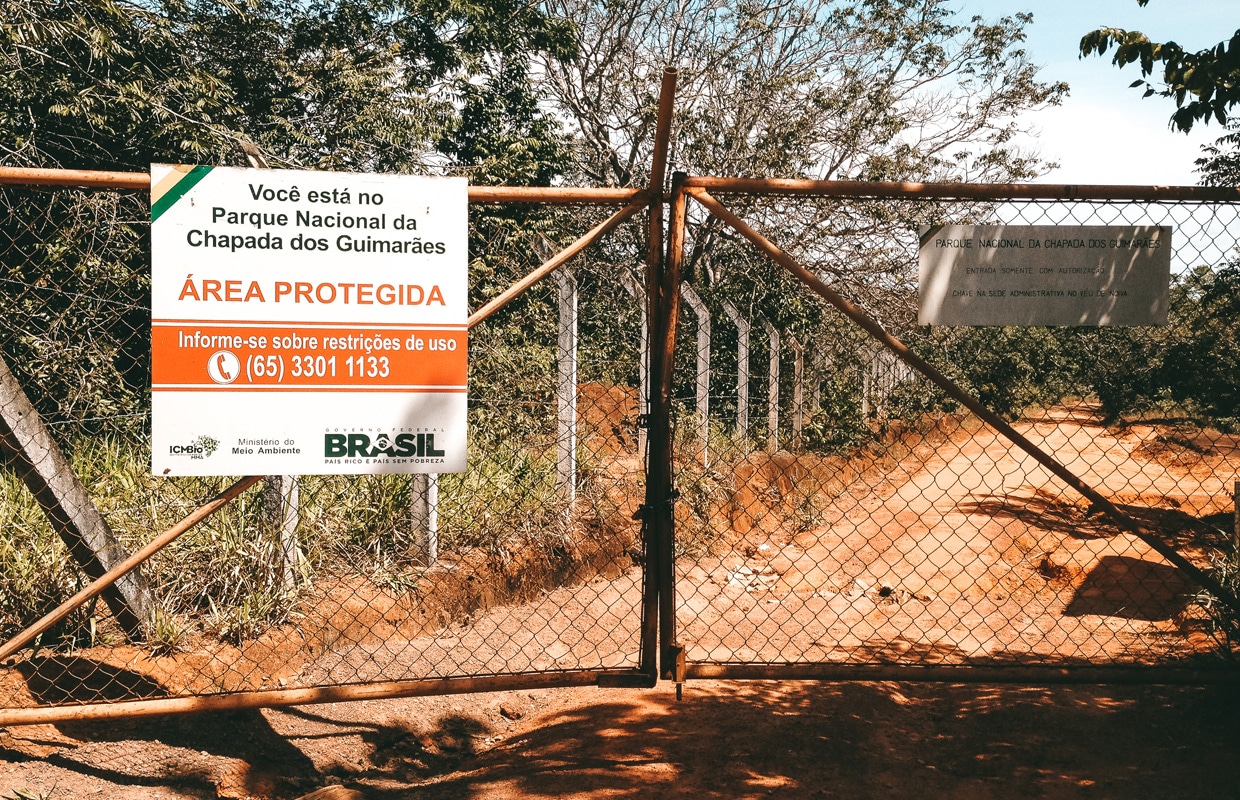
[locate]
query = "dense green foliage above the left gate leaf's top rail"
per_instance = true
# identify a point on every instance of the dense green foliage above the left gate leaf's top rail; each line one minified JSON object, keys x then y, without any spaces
{"x":359,"y":85}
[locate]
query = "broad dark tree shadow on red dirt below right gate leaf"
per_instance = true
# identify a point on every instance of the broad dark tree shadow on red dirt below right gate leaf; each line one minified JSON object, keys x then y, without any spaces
{"x":855,"y":741}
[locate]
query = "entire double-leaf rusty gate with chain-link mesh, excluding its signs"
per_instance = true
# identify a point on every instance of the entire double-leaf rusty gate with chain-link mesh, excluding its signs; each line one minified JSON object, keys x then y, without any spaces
{"x":738,"y":462}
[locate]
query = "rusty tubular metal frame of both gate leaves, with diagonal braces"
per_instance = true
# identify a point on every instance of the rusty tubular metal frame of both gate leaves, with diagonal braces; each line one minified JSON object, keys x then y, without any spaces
{"x":662,"y":657}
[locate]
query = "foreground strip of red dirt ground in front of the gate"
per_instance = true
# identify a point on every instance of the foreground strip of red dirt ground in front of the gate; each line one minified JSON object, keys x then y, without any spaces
{"x":722,"y":741}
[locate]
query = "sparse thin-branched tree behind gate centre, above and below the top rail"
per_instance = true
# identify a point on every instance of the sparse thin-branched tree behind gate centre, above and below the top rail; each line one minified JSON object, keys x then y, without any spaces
{"x":877,"y":90}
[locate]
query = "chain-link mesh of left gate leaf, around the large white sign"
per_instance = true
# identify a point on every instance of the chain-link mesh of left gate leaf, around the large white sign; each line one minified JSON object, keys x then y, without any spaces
{"x":528,"y":562}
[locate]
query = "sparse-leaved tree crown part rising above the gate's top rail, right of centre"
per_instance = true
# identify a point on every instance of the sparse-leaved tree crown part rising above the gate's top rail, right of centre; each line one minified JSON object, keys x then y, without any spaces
{"x":879,"y":90}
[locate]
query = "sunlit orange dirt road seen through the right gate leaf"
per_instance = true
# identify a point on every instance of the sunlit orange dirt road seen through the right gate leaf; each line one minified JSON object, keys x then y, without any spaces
{"x":979,"y":555}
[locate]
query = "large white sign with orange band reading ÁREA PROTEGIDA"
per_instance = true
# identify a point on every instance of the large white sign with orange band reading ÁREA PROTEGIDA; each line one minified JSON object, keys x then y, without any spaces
{"x":307,"y":323}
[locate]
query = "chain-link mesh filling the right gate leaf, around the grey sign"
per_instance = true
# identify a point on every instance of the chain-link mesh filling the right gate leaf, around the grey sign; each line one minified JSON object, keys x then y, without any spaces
{"x":839,"y":509}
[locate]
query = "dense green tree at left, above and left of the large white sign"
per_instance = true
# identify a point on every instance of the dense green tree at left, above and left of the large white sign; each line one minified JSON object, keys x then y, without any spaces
{"x":397,"y":86}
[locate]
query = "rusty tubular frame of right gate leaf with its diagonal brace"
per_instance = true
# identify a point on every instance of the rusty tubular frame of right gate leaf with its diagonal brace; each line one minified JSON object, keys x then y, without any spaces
{"x":674,"y":665}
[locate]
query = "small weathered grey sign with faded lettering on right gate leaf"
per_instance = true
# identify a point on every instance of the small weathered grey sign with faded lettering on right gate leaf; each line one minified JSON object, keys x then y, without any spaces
{"x":1043,"y":275}
